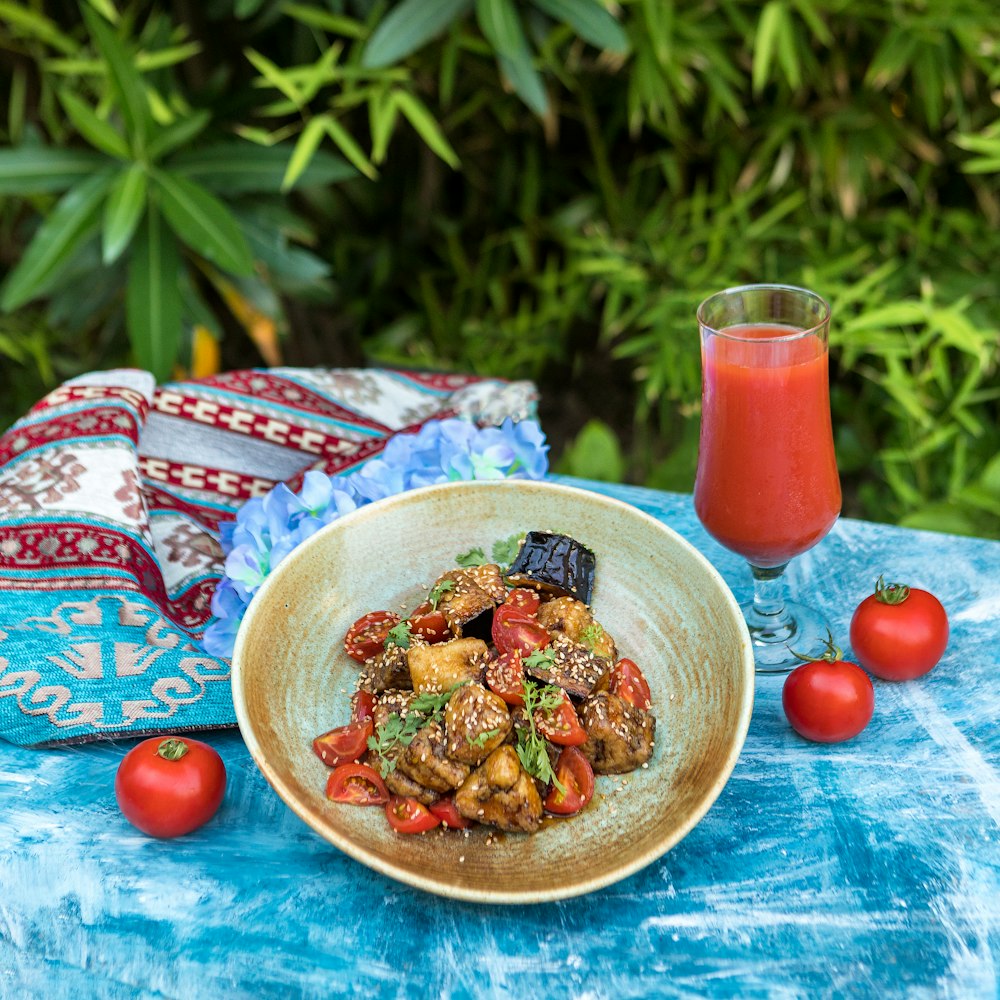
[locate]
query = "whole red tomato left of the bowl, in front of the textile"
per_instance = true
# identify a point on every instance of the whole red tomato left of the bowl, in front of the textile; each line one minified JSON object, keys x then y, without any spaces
{"x":168,"y":786}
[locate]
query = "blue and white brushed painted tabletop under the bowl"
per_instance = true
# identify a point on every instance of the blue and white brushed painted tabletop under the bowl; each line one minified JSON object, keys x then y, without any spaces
{"x":865,"y":869}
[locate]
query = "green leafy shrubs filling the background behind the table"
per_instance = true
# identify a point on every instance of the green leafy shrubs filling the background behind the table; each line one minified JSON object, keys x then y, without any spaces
{"x":538,"y":189}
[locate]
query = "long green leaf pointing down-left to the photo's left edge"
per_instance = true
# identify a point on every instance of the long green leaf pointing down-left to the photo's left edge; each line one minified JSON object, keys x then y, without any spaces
{"x":70,"y":223}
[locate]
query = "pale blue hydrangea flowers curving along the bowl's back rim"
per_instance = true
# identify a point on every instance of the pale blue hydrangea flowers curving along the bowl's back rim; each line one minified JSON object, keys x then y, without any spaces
{"x":267,"y":529}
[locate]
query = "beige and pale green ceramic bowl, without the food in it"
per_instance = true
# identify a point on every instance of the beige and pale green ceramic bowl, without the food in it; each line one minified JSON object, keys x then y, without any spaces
{"x":666,"y":606}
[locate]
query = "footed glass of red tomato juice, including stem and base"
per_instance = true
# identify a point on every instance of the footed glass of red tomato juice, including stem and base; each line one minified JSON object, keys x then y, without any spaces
{"x":767,"y":484}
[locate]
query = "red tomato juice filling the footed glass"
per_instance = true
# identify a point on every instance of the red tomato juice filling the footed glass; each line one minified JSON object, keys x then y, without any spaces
{"x":767,"y":484}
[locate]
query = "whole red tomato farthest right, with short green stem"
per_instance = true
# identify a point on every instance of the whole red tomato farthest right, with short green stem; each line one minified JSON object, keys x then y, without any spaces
{"x":899,"y":633}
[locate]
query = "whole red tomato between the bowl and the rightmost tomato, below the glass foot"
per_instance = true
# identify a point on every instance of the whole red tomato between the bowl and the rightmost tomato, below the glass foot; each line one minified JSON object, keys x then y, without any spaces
{"x":828,"y":699}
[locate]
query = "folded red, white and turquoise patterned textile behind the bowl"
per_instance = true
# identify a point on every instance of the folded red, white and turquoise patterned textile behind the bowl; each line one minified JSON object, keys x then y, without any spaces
{"x":111,"y":494}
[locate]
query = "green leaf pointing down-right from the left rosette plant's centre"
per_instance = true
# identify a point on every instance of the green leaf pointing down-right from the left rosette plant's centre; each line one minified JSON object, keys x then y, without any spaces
{"x":203,"y":222}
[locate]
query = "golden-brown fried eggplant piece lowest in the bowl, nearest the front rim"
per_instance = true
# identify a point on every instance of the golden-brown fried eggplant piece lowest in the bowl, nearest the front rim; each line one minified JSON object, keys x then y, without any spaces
{"x":501,"y":793}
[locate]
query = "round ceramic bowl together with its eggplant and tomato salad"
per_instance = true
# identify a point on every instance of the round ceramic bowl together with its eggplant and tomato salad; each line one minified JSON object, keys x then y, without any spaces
{"x":549,"y":686}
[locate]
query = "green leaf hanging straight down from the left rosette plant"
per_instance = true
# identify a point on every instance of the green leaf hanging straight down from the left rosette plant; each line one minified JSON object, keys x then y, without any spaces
{"x":153,"y":298}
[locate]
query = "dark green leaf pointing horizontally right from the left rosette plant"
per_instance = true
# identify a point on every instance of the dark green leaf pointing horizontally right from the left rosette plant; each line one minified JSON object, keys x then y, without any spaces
{"x":245,"y":168}
